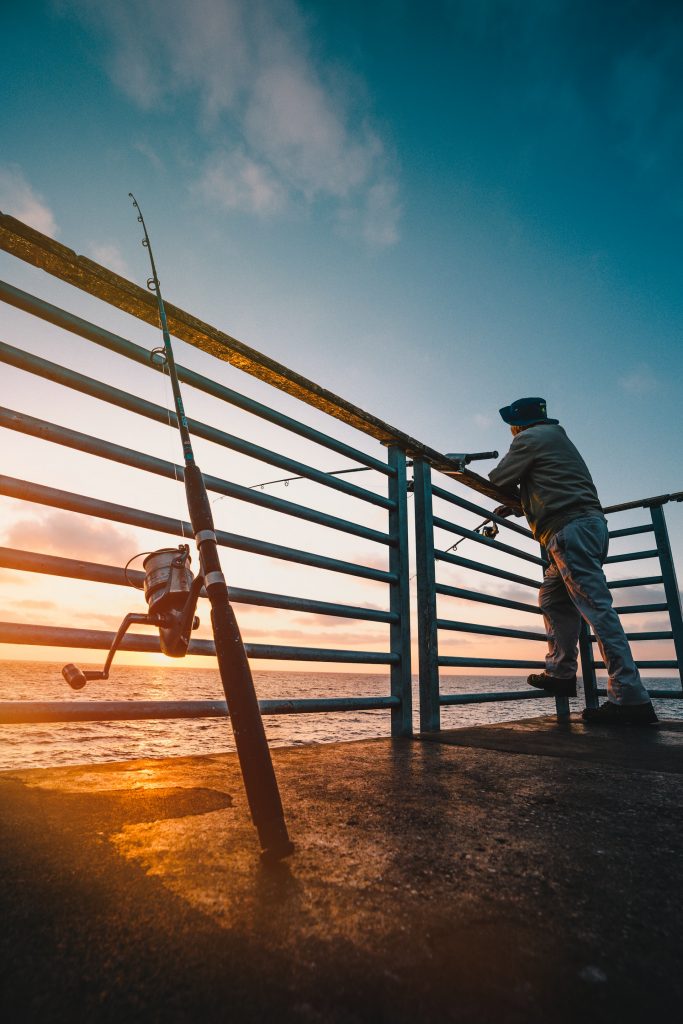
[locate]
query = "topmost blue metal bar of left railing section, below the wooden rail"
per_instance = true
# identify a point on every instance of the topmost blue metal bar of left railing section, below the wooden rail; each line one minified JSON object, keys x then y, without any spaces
{"x":115,"y":344}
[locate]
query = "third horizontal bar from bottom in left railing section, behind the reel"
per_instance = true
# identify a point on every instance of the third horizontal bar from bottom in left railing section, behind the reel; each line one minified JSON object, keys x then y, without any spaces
{"x":31,"y":562}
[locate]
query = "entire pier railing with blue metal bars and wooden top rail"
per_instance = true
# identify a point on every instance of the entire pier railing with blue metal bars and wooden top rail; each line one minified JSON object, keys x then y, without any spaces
{"x":518,"y":562}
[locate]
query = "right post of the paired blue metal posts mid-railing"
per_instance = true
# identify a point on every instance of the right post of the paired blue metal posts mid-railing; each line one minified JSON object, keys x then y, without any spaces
{"x":431,"y":719}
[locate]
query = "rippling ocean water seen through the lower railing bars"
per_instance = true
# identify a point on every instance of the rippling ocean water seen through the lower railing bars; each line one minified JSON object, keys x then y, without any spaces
{"x":53,"y":745}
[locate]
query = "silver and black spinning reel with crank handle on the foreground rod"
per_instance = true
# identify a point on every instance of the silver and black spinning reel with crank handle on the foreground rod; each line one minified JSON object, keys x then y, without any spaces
{"x":172,"y":592}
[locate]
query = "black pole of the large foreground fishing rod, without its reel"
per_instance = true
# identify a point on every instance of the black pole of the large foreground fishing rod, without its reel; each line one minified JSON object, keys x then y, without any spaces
{"x":253,"y":752}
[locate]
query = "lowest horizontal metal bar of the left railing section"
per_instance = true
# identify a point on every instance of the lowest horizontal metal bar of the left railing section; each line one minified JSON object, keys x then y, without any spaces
{"x":26,"y":712}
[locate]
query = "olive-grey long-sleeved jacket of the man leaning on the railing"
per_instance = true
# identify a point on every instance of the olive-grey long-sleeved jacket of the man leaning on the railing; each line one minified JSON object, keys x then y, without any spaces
{"x":556,"y":486}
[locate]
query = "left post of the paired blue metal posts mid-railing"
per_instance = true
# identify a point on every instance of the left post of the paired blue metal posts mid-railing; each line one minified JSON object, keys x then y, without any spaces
{"x":400,"y":599}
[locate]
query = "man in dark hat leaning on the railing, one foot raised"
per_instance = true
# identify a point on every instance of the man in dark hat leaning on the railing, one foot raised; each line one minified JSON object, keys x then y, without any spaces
{"x":553,"y":488}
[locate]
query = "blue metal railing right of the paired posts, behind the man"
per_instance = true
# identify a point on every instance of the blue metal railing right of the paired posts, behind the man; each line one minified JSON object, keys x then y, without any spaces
{"x":432,"y":623}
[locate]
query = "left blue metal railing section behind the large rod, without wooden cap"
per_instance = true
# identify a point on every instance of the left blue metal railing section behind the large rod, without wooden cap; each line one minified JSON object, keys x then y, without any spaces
{"x":394,"y":505}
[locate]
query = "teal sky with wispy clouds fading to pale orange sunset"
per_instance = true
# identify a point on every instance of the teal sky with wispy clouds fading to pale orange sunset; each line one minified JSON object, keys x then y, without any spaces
{"x":430,"y":208}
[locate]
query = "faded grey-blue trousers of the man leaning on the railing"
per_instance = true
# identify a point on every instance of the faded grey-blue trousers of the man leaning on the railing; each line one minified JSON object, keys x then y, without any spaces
{"x":575,"y":587}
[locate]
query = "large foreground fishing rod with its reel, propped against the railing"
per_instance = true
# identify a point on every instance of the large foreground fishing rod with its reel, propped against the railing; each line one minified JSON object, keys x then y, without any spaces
{"x":173,"y":594}
